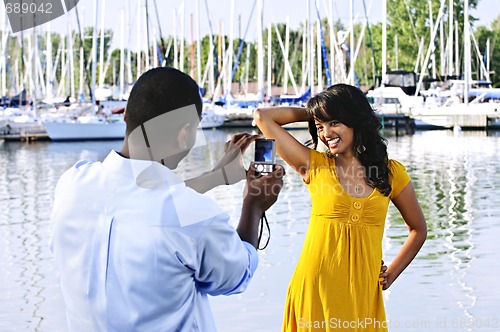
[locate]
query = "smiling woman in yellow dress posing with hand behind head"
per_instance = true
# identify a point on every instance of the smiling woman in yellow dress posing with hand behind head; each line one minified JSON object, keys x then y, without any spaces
{"x":338,"y":281}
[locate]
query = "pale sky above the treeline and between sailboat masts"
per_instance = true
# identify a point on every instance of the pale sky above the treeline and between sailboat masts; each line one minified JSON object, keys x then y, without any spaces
{"x":275,"y":11}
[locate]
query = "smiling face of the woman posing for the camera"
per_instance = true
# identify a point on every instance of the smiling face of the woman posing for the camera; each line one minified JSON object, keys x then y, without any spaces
{"x":338,"y":137}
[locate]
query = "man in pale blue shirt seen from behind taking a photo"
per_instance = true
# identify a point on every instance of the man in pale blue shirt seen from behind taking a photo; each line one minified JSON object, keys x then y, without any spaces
{"x":139,"y":250}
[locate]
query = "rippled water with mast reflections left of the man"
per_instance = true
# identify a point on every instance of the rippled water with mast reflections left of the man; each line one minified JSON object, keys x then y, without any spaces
{"x":30,"y":298}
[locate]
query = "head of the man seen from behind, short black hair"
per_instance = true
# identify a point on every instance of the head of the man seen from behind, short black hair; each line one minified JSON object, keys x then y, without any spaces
{"x":163,"y":112}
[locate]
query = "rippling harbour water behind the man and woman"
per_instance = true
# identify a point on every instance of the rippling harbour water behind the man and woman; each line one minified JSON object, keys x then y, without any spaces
{"x":452,"y":285}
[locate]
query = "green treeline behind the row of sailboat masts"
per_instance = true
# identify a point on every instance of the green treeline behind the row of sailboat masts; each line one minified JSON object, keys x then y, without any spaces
{"x":407,"y":19}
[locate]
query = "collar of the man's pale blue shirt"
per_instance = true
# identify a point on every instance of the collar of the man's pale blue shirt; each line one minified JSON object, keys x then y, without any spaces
{"x":147,"y":174}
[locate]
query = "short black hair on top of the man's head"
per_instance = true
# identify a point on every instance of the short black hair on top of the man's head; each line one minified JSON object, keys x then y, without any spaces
{"x":158,"y":91}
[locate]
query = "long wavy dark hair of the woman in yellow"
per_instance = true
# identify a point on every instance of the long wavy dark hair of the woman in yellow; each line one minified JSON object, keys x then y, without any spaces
{"x":348,"y":105}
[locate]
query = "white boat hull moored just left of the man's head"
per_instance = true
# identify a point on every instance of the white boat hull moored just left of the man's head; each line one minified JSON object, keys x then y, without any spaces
{"x":85,"y":128}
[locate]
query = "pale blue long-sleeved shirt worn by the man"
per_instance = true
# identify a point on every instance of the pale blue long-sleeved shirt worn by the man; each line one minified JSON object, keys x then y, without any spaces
{"x":137,"y":250}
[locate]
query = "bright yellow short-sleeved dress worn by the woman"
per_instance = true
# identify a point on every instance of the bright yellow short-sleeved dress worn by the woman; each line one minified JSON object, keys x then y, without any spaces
{"x":335,"y":285}
